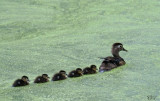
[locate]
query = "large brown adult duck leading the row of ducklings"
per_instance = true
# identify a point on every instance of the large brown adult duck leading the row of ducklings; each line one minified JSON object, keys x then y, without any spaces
{"x":114,"y":61}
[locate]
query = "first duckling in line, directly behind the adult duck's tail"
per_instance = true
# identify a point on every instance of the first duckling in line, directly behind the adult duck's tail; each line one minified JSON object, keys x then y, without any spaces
{"x":90,"y":70}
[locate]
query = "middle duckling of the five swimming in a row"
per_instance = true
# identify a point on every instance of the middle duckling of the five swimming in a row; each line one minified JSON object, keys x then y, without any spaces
{"x":60,"y":76}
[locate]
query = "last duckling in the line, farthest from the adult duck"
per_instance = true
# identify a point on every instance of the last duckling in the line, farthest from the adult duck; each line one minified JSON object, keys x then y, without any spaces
{"x":21,"y":82}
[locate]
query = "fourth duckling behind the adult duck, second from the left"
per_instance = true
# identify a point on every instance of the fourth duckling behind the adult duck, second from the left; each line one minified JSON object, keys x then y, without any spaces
{"x":41,"y":79}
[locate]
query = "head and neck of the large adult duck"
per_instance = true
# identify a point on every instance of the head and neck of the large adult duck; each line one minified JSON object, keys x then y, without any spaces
{"x":116,"y":48}
